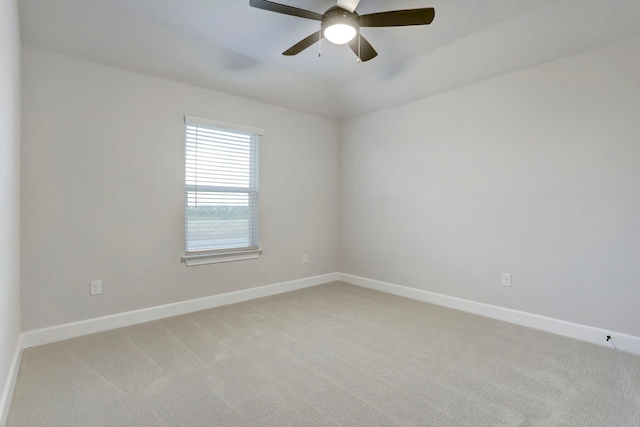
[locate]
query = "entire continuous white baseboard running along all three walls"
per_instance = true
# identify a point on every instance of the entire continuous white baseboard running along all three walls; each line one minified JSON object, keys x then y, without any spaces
{"x":590,"y":334}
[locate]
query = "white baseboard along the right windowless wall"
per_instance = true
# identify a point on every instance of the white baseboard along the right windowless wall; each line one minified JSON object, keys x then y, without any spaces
{"x":624,"y":342}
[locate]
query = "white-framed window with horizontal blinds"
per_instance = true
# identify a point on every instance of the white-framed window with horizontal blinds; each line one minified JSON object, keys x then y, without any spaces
{"x":221,"y":191}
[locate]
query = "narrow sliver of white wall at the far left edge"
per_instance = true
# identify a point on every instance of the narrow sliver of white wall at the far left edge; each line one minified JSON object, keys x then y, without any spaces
{"x":9,"y":188}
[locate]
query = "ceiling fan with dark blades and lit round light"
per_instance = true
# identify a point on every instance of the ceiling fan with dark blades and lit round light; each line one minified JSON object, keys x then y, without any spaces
{"x":341,"y":24}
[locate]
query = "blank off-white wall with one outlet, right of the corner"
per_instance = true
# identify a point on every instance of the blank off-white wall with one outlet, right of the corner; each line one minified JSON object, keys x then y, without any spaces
{"x":534,"y":173}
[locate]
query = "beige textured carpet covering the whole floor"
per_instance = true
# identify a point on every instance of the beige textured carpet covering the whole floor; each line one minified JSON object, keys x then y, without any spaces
{"x":332,"y":355}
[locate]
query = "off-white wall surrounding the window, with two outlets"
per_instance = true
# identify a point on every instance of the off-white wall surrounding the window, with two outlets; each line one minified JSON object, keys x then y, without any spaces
{"x":103,"y":191}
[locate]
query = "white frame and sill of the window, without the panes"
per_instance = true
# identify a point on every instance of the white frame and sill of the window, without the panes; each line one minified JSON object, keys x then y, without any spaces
{"x":210,"y":256}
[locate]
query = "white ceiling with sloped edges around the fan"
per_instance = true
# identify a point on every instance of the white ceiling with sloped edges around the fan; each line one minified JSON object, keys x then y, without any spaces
{"x":226,"y":45}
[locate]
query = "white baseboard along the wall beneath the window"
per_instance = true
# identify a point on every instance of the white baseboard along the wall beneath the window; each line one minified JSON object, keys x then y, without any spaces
{"x":99,"y":324}
